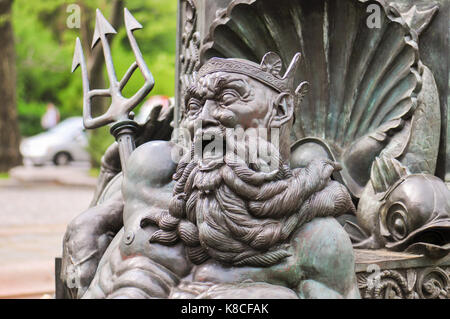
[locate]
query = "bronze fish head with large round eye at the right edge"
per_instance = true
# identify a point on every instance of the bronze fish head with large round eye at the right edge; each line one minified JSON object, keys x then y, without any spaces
{"x":402,"y":211}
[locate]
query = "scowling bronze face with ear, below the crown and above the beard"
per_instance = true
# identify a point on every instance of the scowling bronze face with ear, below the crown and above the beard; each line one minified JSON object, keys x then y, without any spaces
{"x":221,"y":101}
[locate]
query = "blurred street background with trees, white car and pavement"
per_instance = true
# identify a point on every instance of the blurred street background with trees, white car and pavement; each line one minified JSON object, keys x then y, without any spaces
{"x":48,"y":162}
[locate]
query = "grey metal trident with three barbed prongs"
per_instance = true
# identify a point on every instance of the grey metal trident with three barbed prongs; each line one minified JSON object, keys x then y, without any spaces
{"x":119,"y":112}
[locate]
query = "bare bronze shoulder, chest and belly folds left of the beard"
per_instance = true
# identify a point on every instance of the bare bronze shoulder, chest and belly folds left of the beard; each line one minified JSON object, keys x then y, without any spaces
{"x":141,"y":269}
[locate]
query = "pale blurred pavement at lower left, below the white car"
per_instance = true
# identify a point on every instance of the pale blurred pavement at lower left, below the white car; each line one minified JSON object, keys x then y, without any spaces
{"x":33,"y":218}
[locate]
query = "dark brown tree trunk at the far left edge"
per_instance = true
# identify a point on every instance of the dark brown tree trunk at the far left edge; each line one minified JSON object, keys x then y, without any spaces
{"x":9,"y":128}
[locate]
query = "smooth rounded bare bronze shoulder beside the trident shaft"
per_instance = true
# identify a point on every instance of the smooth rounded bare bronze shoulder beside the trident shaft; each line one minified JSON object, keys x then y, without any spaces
{"x":152,"y":164}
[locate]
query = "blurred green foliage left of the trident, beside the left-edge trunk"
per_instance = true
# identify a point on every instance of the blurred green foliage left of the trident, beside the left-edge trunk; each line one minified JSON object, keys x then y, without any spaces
{"x":43,"y":58}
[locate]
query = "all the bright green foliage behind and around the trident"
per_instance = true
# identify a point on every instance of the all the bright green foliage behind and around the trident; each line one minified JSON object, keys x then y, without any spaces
{"x":44,"y":49}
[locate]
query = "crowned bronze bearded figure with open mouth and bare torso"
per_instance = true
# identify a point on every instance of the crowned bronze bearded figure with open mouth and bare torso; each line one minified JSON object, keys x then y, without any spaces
{"x":229,"y":221}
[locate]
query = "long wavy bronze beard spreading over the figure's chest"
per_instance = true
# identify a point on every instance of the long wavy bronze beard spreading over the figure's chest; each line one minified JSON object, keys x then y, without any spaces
{"x":229,"y":210}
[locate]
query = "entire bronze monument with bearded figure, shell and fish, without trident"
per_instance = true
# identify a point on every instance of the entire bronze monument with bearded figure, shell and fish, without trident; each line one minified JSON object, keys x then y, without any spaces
{"x":339,"y":103}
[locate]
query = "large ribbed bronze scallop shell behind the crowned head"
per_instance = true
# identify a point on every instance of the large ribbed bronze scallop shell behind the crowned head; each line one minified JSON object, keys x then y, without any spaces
{"x":359,"y":77}
